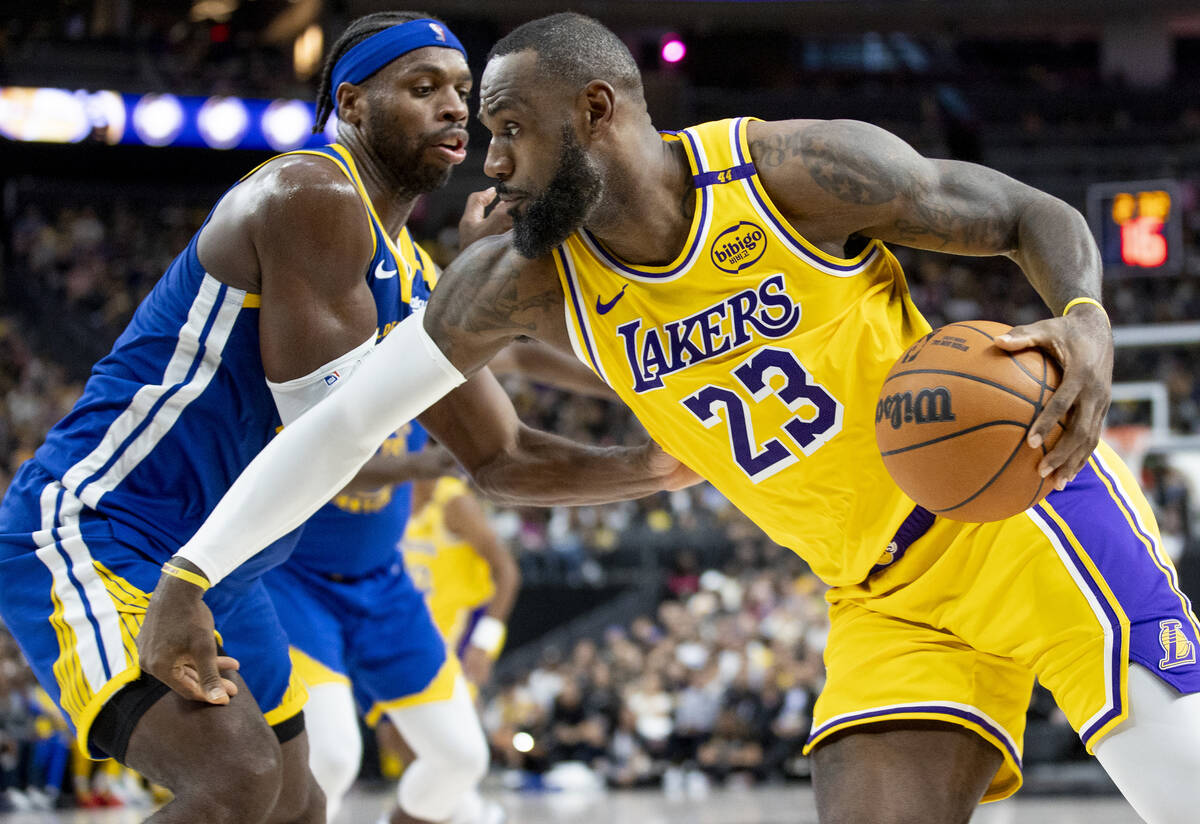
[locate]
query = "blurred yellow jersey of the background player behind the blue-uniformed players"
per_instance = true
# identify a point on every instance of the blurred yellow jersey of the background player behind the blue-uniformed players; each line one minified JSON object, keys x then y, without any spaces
{"x":454,"y":578}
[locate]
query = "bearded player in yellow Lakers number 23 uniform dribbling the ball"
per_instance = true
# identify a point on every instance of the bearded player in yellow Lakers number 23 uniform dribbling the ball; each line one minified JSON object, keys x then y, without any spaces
{"x":731,"y":284}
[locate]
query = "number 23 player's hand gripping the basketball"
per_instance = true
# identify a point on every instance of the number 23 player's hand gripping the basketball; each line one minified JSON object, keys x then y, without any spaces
{"x":1083,"y":344}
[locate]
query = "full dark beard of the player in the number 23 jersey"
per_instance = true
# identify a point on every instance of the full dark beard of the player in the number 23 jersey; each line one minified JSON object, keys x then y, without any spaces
{"x":549,"y":219}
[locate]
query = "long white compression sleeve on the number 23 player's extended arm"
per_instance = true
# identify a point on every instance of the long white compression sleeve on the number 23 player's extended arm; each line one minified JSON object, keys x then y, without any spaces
{"x":316,"y":456}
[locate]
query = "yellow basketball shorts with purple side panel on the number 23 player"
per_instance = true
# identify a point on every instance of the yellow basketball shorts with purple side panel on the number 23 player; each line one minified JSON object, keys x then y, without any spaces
{"x":958,"y":627}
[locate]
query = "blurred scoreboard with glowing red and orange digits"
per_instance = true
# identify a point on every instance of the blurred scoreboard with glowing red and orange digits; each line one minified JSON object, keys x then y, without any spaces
{"x":1138,"y":226}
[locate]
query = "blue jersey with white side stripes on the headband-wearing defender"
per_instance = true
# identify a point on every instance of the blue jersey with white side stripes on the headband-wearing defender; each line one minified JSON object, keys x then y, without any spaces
{"x":181,"y":406}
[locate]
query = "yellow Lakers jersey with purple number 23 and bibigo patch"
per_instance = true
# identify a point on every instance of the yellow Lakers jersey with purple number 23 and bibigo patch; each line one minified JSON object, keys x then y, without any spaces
{"x":755,"y":358}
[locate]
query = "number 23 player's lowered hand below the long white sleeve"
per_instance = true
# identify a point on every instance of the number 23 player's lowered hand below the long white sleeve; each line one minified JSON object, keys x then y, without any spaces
{"x":178,"y":646}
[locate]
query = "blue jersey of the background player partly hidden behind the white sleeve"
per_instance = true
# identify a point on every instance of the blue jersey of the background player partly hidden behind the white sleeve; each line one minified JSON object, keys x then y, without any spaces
{"x":359,"y":532}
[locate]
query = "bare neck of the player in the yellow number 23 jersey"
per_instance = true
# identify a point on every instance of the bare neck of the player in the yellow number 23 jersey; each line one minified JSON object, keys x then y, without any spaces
{"x":650,"y":202}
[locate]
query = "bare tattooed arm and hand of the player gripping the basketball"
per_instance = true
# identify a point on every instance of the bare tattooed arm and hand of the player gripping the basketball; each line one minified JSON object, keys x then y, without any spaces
{"x":833,"y":179}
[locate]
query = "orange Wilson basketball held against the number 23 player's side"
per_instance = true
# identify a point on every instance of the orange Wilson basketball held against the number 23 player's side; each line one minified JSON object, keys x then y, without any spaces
{"x":953,"y":417}
